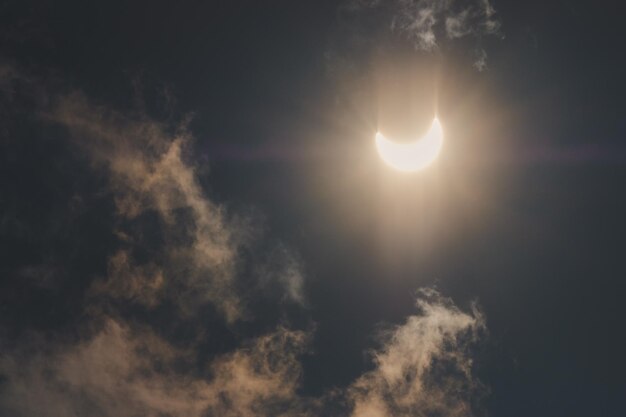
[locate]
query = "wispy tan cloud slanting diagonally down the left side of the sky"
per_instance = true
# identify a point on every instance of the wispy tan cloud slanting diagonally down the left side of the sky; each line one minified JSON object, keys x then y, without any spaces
{"x":148,"y":174}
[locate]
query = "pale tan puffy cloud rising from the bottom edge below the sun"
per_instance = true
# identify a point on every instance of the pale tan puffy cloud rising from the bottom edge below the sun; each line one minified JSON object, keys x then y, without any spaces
{"x":423,"y":367}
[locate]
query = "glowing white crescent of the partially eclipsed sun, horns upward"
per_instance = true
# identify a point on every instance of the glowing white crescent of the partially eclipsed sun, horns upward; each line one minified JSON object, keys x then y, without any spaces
{"x":411,"y":156}
